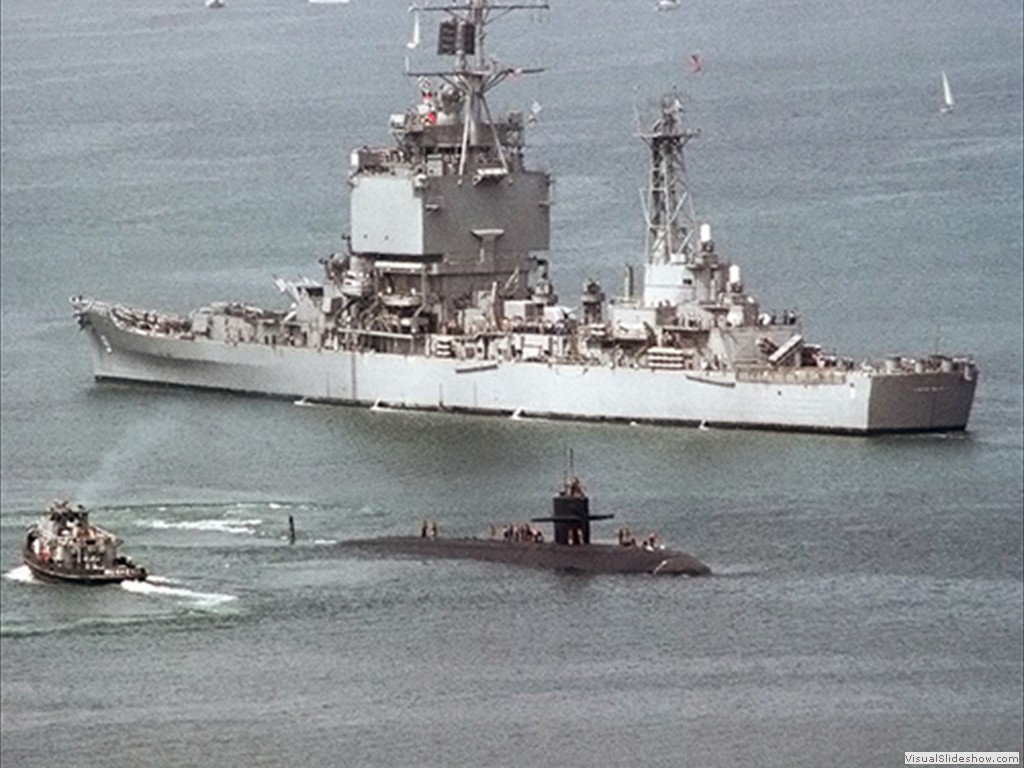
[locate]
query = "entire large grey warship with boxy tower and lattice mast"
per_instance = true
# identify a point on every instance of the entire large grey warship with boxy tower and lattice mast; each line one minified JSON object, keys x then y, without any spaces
{"x":443,"y":298}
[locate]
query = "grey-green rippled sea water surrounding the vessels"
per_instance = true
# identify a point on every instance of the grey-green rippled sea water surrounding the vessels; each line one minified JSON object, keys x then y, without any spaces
{"x":868,"y":596}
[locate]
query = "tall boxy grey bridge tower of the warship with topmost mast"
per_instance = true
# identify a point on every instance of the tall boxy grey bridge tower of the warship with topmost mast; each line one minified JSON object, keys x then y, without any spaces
{"x":454,"y":196}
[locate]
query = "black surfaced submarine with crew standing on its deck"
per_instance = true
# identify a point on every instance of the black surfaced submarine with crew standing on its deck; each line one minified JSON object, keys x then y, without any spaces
{"x":572,"y":549}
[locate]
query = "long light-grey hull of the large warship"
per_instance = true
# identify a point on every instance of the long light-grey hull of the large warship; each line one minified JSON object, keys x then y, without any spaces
{"x":862,"y":401}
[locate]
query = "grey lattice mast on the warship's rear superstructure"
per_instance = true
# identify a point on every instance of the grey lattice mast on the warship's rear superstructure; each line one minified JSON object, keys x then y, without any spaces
{"x":672,"y":226}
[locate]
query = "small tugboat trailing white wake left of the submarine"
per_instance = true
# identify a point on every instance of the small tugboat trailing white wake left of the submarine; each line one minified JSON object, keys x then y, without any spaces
{"x":64,"y":546}
